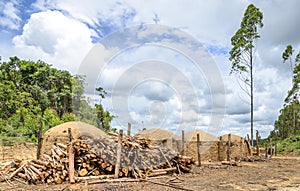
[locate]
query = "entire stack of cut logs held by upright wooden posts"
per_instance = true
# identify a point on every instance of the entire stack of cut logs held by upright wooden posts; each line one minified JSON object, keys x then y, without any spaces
{"x":97,"y":158}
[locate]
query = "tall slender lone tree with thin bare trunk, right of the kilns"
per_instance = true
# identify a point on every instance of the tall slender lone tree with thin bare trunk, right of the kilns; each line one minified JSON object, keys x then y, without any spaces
{"x":242,"y":52}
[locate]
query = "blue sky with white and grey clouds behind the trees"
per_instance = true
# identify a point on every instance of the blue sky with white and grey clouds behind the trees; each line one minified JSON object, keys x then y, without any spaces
{"x":165,"y":64}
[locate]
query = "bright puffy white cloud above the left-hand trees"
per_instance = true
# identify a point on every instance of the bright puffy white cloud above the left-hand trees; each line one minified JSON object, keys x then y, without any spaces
{"x":54,"y":38}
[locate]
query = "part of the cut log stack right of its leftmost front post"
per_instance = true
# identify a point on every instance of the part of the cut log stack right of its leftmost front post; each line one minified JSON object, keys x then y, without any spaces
{"x":138,"y":159}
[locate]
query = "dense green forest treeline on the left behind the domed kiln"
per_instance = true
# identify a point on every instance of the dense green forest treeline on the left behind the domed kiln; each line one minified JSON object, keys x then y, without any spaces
{"x":34,"y":92}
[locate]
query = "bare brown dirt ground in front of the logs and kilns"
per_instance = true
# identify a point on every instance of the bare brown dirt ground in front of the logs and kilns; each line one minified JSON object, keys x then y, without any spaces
{"x":278,"y":173}
